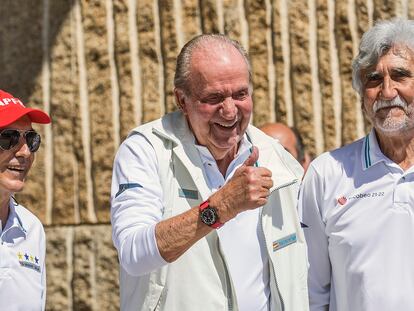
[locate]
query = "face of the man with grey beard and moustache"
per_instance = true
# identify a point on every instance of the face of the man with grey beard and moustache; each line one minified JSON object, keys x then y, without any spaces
{"x":388,"y":92}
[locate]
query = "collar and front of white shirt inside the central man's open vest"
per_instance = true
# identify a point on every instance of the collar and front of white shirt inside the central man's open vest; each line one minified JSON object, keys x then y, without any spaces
{"x":245,"y":253}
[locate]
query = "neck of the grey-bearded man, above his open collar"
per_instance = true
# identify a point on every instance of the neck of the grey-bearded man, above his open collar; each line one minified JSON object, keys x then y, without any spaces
{"x":400,"y":149}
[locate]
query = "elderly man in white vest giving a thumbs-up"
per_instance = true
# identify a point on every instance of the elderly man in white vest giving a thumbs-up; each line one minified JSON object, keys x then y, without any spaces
{"x":203,"y":205}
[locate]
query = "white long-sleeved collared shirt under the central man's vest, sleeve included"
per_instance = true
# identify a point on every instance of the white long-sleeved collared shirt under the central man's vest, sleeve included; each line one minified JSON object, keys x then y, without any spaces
{"x":245,"y":253}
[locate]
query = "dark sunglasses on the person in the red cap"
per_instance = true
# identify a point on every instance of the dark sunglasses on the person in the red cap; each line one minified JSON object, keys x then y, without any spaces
{"x":10,"y":138}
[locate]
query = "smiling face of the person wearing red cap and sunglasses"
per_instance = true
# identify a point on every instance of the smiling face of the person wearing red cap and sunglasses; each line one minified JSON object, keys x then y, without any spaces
{"x":16,"y":162}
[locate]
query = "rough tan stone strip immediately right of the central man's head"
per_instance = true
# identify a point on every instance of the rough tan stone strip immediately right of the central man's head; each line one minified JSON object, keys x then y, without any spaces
{"x":258,"y":52}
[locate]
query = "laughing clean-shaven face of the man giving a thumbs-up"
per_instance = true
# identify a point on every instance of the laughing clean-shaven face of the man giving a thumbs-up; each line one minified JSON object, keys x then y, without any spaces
{"x":219,"y":107}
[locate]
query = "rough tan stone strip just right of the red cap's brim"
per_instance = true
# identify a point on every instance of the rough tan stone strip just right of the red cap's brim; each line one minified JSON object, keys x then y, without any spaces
{"x":63,"y":90}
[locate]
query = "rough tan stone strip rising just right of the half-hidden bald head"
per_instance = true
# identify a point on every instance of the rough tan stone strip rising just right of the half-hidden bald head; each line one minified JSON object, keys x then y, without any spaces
{"x":301,"y":71}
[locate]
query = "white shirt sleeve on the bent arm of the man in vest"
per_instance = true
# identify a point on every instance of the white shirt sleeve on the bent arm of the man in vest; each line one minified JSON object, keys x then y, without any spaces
{"x":136,"y":206}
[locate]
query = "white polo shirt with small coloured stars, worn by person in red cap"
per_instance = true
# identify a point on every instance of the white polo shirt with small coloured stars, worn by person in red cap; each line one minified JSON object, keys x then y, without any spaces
{"x":22,"y":261}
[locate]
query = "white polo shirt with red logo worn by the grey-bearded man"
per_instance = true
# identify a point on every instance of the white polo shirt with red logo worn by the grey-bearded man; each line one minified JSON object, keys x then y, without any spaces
{"x":358,"y":207}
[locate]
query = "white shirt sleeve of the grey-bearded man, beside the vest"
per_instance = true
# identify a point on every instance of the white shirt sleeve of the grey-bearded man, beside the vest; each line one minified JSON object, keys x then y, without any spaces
{"x":310,"y":207}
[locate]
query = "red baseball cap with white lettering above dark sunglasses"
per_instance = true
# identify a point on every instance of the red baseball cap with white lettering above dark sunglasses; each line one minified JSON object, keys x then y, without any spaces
{"x":12,"y":109}
